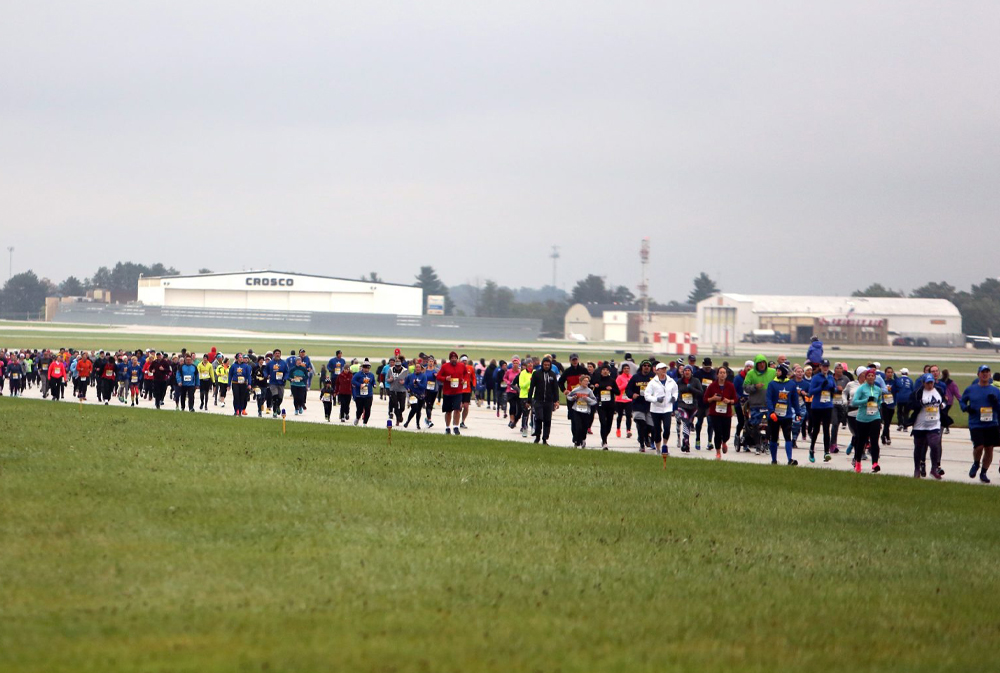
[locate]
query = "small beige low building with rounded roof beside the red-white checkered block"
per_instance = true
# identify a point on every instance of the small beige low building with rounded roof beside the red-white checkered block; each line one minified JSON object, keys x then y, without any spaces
{"x":623,"y":322}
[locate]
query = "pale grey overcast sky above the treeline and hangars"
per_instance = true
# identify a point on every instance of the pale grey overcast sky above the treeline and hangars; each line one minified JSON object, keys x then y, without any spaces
{"x":743,"y":138}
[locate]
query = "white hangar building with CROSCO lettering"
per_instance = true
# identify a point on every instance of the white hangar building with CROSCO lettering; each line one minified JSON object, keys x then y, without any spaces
{"x":280,"y":291}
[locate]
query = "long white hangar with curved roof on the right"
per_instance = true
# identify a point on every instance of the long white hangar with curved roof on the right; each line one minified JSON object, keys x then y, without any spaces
{"x":728,"y":318}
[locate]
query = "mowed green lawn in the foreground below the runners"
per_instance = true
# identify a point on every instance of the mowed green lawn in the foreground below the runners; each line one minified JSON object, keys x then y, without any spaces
{"x":162,"y":541}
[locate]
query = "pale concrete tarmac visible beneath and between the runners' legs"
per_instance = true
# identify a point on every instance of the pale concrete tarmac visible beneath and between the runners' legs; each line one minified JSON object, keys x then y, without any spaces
{"x":896,"y":459}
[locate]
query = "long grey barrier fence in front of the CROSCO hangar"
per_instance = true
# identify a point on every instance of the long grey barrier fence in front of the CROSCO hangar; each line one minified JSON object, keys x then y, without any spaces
{"x":449,"y":328}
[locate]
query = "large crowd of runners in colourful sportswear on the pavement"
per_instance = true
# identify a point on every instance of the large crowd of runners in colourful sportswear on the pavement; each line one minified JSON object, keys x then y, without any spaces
{"x":776,"y":404}
